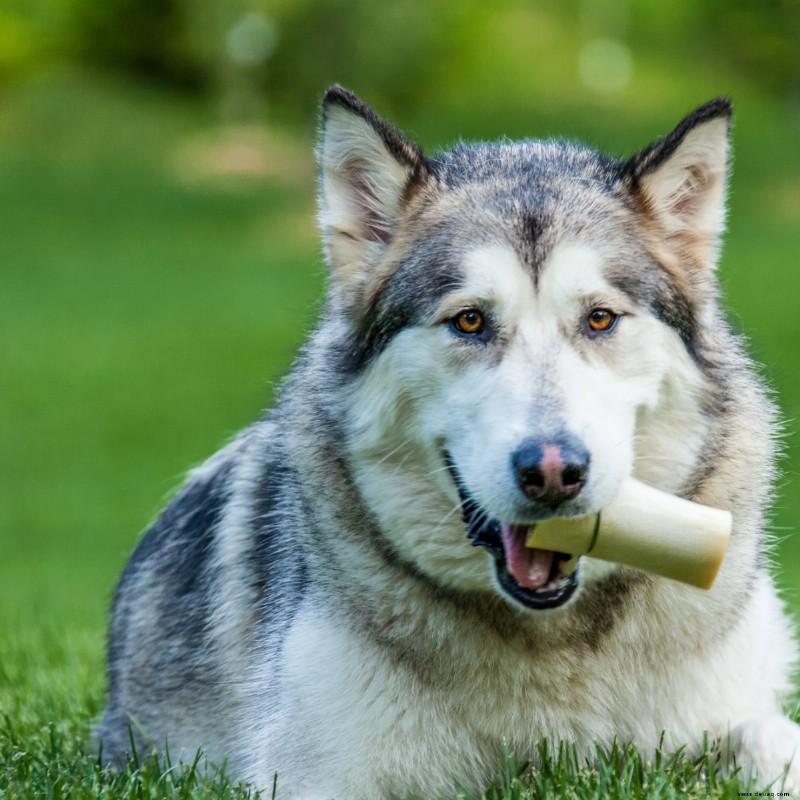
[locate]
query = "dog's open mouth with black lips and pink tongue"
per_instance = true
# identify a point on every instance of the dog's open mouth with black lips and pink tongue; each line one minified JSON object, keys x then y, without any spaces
{"x":535,"y":578}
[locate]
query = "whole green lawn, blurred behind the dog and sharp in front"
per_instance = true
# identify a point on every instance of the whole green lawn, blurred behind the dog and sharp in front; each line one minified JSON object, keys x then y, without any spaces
{"x":151,"y":297}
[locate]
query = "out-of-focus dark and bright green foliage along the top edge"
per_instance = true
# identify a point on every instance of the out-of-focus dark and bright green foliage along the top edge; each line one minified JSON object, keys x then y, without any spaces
{"x":406,"y":53}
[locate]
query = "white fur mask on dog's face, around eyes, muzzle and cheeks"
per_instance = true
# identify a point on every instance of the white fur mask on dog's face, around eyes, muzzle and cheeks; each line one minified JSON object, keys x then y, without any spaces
{"x":624,"y":395}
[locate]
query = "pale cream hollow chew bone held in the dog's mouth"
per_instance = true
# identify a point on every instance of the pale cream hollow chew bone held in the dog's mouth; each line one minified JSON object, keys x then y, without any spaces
{"x":648,"y":529}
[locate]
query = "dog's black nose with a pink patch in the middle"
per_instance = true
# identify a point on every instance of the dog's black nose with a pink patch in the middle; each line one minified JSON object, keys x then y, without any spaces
{"x":551,"y":471}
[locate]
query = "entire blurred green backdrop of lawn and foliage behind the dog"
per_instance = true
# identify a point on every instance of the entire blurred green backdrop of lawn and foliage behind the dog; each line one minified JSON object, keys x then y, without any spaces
{"x":158,"y":251}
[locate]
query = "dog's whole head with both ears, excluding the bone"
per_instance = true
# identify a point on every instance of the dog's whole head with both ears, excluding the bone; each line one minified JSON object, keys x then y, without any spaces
{"x":521,"y":326}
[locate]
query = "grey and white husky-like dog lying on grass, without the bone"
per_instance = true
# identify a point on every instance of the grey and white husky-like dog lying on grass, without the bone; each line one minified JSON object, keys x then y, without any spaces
{"x":511,"y":331}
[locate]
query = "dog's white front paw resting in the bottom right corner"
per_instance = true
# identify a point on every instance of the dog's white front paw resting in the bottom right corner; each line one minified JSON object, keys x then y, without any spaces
{"x":768,"y":749}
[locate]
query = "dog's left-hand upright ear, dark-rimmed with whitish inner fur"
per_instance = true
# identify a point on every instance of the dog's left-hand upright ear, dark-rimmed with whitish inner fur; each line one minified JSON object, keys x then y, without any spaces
{"x":367,"y":172}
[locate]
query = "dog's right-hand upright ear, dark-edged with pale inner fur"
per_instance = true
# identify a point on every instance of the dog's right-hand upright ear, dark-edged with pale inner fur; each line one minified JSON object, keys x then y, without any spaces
{"x":679,"y":182}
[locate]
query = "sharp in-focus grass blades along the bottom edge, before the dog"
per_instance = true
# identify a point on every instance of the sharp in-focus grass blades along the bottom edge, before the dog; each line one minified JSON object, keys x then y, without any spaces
{"x":54,"y":759}
